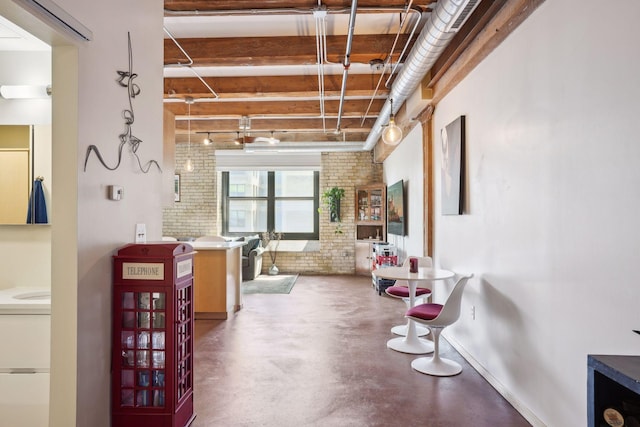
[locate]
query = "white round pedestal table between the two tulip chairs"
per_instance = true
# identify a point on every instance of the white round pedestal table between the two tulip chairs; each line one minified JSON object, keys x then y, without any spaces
{"x":411,"y":343}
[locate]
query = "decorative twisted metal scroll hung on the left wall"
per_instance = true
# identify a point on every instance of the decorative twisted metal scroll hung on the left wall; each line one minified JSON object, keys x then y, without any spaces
{"x":125,"y":79}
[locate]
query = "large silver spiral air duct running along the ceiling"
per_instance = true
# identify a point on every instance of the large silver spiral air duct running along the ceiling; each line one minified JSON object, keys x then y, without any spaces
{"x":433,"y":39}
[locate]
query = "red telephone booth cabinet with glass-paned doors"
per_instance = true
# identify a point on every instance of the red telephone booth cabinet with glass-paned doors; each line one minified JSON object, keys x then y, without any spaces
{"x":152,"y":360}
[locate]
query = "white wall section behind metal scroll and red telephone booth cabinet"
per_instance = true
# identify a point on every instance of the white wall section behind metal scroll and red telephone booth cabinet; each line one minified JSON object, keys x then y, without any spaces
{"x":105,"y":225}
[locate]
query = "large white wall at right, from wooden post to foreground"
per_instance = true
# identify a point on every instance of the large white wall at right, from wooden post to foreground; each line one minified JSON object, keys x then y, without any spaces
{"x":550,"y":228}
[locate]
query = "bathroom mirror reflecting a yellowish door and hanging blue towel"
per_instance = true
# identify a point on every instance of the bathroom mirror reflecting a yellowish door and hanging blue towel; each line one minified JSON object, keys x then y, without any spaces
{"x":25,"y":155}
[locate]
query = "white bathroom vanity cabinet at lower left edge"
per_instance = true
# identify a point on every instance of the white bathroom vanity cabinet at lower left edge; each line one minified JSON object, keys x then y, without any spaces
{"x":24,"y":363}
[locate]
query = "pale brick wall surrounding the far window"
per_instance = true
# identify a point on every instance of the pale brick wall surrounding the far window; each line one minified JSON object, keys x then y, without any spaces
{"x":197,"y":212}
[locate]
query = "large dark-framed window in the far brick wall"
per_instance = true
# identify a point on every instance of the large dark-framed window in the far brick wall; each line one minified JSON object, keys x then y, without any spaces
{"x":258,"y":201}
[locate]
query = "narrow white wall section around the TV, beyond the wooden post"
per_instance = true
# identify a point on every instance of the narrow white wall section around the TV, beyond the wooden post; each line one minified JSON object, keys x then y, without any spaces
{"x":406,"y":163}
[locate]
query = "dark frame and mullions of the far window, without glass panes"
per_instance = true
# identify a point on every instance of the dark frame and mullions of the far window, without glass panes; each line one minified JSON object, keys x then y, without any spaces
{"x":271,"y":202}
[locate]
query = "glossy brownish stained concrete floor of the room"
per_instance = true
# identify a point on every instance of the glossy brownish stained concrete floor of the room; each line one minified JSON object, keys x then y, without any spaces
{"x":318,"y":357}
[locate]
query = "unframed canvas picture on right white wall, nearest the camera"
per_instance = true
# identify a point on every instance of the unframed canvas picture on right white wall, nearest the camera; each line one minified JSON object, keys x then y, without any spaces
{"x":452,"y":168}
